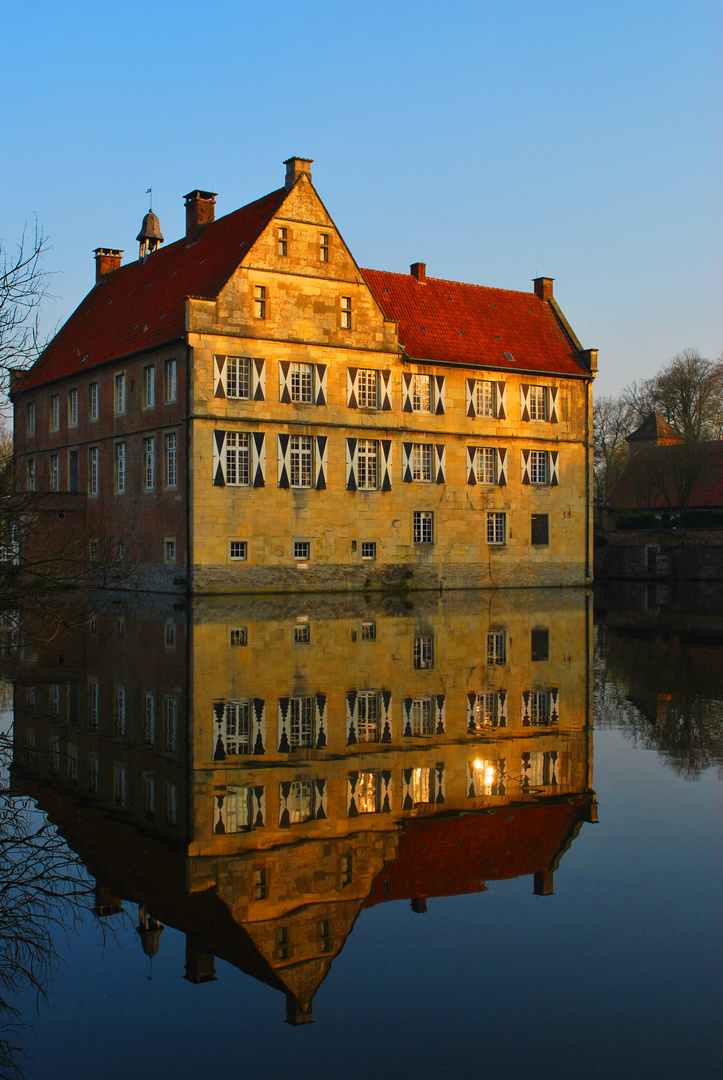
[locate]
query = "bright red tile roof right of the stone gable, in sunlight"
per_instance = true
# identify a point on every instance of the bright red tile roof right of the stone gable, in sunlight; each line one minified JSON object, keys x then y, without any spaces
{"x":474,"y":326}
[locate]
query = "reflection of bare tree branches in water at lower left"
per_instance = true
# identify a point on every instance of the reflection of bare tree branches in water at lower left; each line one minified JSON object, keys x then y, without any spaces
{"x":45,"y":889}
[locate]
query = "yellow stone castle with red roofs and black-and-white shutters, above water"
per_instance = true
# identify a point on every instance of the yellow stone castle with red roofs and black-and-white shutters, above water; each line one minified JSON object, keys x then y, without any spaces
{"x":247,"y":410}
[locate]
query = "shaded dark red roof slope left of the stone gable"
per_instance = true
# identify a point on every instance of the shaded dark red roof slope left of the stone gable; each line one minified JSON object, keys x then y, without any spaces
{"x":143,"y":305}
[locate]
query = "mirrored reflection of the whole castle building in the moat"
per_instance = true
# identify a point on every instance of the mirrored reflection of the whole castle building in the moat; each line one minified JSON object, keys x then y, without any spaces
{"x":257,"y":772}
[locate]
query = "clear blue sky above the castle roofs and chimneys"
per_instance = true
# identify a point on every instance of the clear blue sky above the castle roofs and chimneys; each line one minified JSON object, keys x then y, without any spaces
{"x":496,"y":142}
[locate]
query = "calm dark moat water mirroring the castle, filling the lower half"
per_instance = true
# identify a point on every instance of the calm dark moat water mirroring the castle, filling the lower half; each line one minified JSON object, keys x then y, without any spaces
{"x":468,"y":835}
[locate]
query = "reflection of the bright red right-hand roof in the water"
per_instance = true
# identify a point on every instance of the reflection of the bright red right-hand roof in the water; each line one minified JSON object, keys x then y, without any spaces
{"x":446,"y":857}
